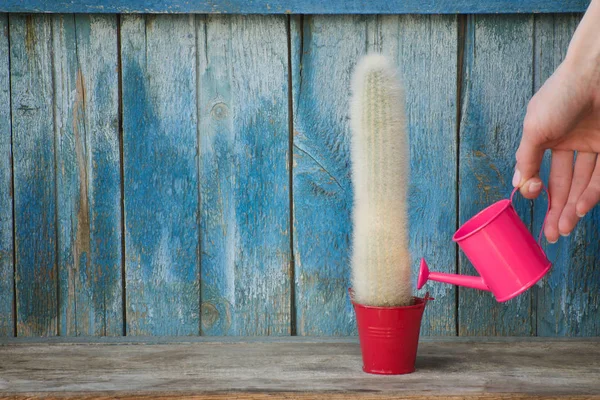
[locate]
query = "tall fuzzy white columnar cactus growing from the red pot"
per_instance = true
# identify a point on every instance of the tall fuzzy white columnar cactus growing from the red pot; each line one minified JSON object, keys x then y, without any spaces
{"x":381,"y":260}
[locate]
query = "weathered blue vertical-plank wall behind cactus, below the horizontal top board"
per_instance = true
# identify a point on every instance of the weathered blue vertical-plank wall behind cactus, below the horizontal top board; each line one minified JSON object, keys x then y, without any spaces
{"x":189,"y":174}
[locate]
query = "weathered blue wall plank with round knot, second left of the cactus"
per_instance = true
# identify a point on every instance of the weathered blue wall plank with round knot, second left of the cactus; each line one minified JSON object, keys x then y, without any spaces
{"x":244,"y":175}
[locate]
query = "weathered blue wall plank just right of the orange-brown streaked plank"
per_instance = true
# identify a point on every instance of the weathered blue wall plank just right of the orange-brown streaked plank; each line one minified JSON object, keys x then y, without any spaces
{"x":160,"y":147}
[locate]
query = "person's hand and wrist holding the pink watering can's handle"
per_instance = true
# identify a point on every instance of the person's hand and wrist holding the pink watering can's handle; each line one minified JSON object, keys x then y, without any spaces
{"x":564,"y":117}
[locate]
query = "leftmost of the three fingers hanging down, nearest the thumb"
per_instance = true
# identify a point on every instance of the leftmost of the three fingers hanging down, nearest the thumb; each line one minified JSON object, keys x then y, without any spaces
{"x":561,"y":174}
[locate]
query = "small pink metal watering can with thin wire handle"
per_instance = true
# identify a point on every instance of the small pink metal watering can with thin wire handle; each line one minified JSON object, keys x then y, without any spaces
{"x":501,"y":249}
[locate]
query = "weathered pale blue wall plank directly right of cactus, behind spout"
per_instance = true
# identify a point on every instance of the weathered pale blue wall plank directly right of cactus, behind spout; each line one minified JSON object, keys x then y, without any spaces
{"x":425,"y":49}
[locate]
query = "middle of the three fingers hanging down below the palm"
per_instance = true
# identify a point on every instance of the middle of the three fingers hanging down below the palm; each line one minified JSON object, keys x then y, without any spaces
{"x":582,"y":174}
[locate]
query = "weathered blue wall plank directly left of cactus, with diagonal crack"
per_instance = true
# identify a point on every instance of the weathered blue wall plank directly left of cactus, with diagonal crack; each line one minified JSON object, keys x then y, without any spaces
{"x":324,"y":52}
